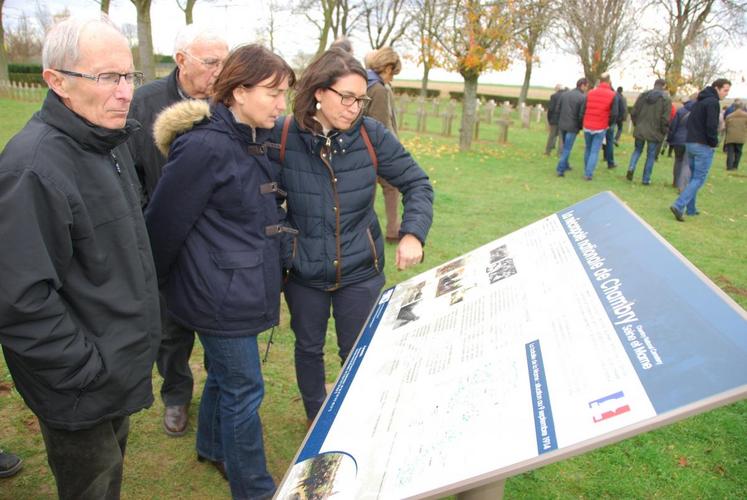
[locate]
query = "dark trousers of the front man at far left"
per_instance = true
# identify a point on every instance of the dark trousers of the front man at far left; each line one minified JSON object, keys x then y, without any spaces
{"x":87,"y":464}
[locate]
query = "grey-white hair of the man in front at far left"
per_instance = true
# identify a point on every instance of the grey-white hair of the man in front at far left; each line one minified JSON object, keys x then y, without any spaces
{"x":61,"y":45}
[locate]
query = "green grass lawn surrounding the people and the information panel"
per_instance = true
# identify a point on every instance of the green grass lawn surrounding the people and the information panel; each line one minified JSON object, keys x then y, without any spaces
{"x":480,"y":196}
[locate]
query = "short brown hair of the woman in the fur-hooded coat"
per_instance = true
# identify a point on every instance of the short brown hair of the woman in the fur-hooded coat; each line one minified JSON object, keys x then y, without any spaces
{"x":247,"y":66}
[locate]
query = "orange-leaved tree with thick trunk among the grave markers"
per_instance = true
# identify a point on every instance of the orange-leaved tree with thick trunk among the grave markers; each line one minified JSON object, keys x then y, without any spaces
{"x":476,"y":38}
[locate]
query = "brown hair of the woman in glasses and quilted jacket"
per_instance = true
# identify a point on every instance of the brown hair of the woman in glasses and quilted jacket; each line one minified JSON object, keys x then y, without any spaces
{"x":322,"y":73}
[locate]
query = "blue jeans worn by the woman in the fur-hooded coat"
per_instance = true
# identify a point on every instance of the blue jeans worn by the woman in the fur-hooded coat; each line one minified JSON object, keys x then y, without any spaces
{"x":229,"y":429}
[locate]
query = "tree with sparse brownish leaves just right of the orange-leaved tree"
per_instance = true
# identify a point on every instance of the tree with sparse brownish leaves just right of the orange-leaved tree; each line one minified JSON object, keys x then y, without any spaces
{"x":533,"y":21}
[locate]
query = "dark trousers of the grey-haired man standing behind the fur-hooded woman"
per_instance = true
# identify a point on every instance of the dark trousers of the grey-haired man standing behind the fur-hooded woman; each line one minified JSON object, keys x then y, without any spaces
{"x":173,"y":360}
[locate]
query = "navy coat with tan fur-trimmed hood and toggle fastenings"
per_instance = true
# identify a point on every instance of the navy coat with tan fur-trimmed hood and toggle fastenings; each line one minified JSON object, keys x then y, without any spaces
{"x":213,"y":222}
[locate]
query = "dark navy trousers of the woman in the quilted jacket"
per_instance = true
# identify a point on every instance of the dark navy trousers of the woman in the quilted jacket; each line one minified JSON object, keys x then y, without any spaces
{"x":309,"y":310}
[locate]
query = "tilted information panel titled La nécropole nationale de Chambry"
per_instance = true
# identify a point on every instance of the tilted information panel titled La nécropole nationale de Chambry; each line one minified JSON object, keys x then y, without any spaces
{"x":575,"y":331}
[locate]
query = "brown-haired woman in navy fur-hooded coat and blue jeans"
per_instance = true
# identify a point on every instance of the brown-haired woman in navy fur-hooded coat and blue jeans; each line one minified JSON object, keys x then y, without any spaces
{"x":215,"y":226}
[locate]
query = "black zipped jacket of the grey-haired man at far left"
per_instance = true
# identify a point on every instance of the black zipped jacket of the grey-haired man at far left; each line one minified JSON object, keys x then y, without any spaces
{"x":79,"y":314}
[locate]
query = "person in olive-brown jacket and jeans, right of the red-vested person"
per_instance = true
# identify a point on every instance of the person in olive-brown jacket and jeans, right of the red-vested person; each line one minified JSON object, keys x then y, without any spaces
{"x":650,"y":115}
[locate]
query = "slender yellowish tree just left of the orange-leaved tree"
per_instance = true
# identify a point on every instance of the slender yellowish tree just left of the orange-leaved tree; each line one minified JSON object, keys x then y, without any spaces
{"x":428,"y":17}
